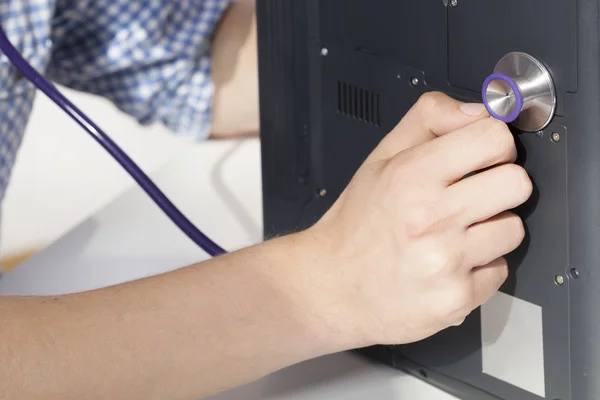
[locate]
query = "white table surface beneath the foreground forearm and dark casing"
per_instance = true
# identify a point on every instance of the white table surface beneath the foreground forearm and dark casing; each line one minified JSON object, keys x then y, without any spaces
{"x":217,"y":185}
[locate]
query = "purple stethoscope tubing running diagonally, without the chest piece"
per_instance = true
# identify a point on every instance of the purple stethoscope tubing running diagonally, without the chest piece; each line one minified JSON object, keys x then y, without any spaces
{"x":113,"y":149}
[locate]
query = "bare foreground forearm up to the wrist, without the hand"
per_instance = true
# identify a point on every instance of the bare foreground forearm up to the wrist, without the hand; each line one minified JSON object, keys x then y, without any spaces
{"x":182,"y":335}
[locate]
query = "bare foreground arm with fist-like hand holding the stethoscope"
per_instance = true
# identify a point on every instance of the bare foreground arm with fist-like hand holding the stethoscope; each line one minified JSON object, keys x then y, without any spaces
{"x":395,"y":260}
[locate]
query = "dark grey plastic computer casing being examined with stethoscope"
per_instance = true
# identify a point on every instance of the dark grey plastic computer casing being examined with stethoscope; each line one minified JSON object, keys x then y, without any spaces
{"x":337,"y":75}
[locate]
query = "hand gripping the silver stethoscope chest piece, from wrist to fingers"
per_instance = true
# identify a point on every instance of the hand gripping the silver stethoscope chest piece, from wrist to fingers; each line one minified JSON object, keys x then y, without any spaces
{"x":412,"y":247}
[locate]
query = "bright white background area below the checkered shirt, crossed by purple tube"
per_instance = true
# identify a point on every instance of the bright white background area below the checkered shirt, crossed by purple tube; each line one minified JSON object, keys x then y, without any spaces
{"x":62,"y":175}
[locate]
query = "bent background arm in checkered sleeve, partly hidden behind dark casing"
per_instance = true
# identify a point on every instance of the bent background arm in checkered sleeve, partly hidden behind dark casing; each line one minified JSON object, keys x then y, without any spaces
{"x":191,"y":67}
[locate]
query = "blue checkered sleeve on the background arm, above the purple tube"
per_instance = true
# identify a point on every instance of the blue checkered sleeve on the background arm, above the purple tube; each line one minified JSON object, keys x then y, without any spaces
{"x":151,"y":58}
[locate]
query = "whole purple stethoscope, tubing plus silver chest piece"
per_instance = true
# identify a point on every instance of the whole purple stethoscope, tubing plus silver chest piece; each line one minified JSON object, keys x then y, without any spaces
{"x":520,"y":91}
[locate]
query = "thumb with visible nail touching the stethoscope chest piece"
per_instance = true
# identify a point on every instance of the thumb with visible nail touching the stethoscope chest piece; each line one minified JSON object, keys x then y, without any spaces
{"x":434,"y":115}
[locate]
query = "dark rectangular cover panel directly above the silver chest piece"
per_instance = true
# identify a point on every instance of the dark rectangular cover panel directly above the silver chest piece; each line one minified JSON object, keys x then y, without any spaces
{"x":481,"y":32}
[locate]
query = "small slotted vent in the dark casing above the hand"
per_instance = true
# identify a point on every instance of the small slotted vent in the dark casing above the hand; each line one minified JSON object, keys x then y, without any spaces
{"x":358,"y":103}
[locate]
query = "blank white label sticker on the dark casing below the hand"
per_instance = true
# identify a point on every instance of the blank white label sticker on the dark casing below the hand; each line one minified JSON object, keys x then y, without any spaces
{"x":513,"y":343}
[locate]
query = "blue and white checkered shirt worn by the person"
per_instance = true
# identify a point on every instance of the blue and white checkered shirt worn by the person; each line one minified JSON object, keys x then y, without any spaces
{"x":151,"y":58}
